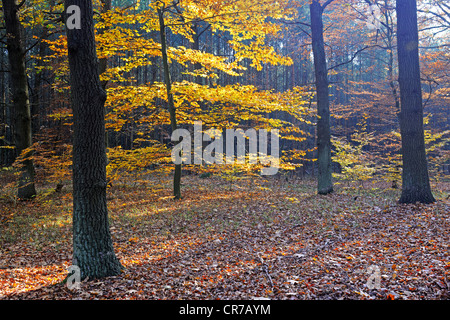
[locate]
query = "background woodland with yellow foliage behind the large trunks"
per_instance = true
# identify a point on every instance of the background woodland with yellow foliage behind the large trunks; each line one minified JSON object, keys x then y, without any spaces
{"x":232,"y":63}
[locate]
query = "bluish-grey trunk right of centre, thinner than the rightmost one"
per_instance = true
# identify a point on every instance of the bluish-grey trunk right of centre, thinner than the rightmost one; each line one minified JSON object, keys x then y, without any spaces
{"x":324,"y":184}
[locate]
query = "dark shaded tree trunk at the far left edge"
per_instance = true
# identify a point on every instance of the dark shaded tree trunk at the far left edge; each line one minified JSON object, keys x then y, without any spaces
{"x":20,"y":97}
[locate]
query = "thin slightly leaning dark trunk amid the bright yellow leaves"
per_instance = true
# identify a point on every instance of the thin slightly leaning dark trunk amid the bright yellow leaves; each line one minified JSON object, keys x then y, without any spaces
{"x":170,"y":102}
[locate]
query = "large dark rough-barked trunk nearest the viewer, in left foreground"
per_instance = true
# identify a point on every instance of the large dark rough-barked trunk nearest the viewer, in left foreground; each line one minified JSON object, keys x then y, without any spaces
{"x":93,"y":251}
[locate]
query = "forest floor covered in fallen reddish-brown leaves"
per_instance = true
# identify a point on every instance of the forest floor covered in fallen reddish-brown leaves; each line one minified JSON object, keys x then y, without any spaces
{"x":246,"y":239}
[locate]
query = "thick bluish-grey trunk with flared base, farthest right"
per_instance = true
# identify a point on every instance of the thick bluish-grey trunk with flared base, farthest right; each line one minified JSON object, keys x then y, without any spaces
{"x":416,"y":184}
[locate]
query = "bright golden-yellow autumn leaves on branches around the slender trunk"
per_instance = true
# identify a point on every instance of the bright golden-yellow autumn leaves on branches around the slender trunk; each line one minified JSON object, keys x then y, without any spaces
{"x":131,"y":36}
